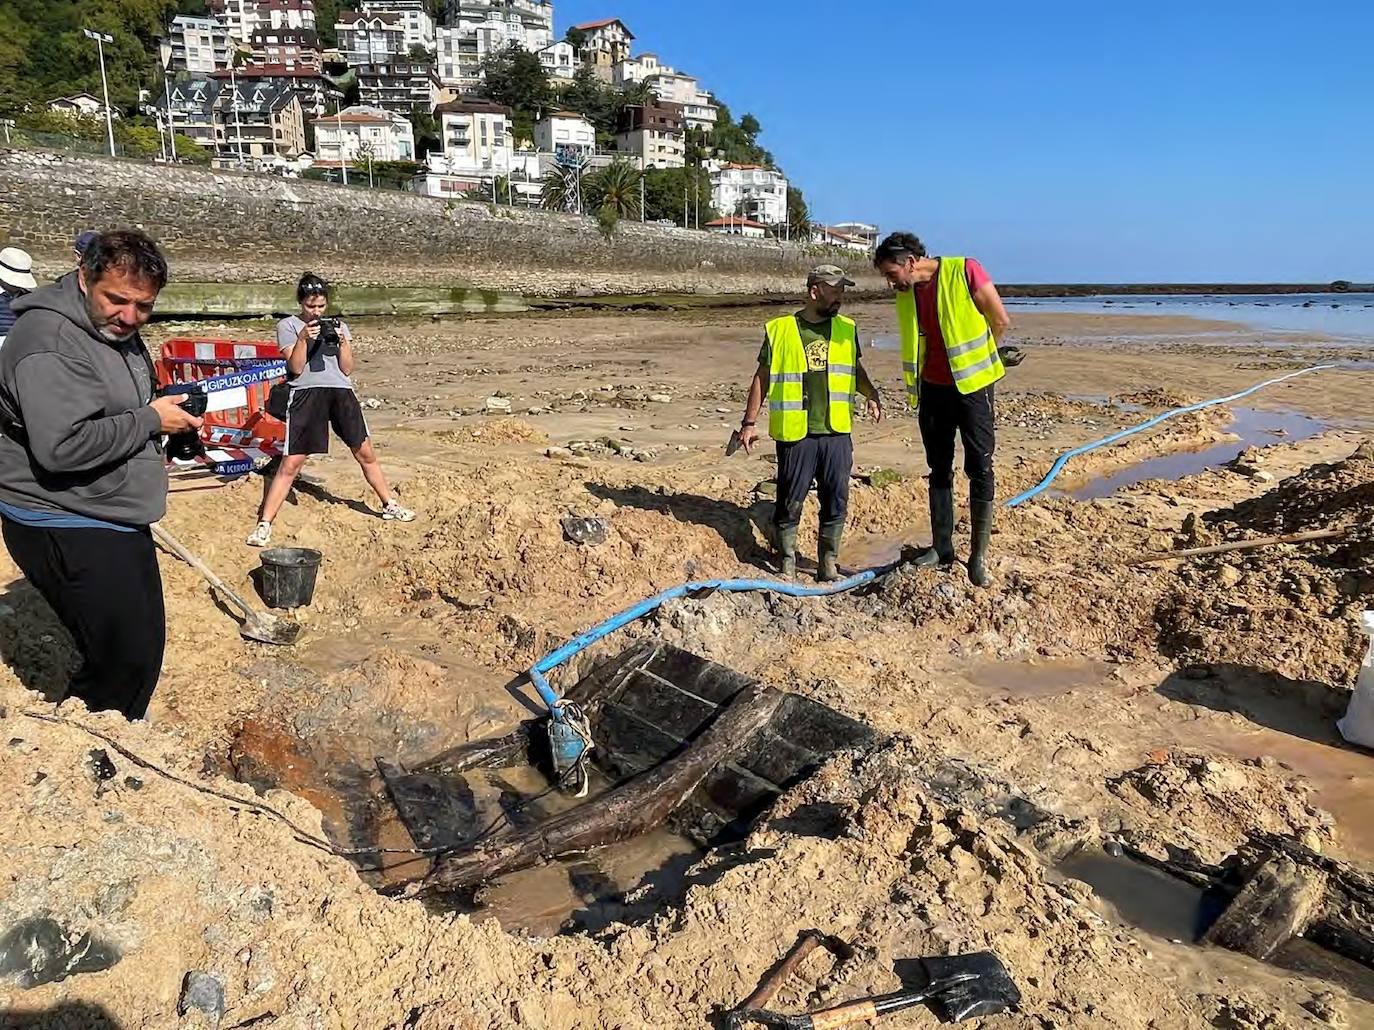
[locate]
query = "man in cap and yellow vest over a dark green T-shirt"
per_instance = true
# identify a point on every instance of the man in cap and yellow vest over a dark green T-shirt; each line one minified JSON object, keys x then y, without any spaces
{"x":810,"y":374}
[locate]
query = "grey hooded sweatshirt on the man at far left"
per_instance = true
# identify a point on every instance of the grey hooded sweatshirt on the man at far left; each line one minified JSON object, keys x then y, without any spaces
{"x":76,"y":431}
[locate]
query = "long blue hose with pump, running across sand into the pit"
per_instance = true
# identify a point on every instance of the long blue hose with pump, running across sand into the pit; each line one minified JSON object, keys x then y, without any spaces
{"x":570,"y":737}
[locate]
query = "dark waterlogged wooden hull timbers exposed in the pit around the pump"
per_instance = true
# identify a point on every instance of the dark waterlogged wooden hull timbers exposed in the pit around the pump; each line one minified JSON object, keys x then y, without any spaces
{"x":679,"y":740}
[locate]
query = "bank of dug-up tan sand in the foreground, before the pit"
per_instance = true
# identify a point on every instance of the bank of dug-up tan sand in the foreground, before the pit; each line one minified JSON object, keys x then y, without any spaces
{"x":296,"y":941}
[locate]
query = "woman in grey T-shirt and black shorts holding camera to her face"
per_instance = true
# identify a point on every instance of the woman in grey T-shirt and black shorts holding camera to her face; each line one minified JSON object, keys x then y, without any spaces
{"x":319,"y":362}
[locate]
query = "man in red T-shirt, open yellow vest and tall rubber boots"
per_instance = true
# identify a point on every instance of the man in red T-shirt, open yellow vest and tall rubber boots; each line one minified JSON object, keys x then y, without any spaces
{"x":950,"y":318}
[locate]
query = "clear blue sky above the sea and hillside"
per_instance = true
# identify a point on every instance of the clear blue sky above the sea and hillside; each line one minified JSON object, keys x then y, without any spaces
{"x":1206,"y":141}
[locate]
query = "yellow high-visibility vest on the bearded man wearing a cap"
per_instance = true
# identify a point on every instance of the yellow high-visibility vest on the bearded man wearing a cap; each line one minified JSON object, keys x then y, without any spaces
{"x":787,"y":402}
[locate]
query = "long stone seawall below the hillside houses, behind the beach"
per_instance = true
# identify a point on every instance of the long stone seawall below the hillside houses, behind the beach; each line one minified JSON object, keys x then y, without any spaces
{"x":223,"y":227}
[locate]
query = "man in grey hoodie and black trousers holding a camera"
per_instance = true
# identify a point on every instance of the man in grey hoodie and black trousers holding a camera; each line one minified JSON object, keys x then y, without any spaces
{"x":82,"y":468}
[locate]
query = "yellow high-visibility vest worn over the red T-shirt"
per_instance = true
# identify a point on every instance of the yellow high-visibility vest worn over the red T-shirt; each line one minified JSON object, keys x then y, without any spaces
{"x":973,"y":360}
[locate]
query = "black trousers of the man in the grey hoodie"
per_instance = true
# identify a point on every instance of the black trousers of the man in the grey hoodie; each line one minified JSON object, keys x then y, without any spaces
{"x":106,"y":590}
